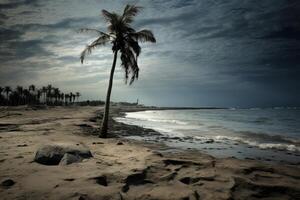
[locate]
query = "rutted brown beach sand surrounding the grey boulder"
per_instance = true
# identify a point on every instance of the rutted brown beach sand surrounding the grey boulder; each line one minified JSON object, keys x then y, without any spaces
{"x":123,"y":169}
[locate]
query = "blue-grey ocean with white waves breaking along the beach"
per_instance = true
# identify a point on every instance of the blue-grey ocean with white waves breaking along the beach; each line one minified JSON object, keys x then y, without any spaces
{"x":263,"y":134}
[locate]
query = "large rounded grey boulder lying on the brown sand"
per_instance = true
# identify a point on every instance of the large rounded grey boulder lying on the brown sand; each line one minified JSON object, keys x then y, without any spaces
{"x":53,"y":154}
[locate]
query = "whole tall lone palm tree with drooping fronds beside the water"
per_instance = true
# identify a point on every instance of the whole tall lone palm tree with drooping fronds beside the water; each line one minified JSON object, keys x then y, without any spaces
{"x":124,"y":39}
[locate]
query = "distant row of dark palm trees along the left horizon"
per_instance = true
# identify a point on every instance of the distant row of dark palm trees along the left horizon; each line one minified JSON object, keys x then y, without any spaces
{"x":46,"y":95}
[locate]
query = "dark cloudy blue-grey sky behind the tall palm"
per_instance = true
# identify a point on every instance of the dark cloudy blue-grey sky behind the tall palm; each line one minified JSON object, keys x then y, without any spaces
{"x":224,"y":53}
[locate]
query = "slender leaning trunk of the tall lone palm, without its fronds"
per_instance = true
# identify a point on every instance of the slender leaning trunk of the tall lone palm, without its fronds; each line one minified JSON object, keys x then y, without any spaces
{"x":104,"y":126}
